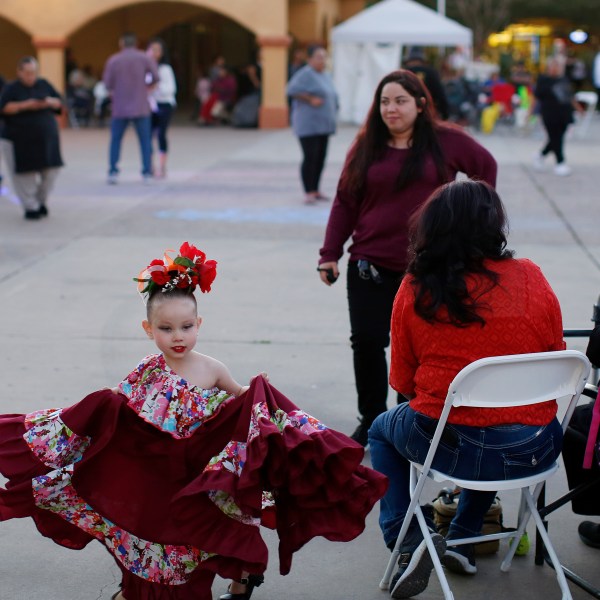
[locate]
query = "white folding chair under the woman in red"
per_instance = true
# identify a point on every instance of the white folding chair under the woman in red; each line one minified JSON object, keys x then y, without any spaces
{"x":494,"y":382}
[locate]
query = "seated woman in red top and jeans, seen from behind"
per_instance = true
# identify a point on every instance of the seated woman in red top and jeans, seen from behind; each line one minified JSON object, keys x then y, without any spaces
{"x":465,"y":297}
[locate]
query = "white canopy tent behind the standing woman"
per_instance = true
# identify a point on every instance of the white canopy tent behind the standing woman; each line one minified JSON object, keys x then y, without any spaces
{"x":369,"y":45}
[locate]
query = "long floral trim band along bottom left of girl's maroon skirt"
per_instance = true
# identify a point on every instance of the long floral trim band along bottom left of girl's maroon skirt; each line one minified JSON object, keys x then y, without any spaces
{"x":159,"y":563}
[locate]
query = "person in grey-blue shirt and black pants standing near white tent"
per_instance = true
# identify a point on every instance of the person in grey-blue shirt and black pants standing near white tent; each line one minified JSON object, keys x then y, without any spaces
{"x":314,"y":107}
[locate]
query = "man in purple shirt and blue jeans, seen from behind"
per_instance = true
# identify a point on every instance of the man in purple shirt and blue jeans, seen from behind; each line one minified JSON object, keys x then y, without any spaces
{"x":128,"y":75}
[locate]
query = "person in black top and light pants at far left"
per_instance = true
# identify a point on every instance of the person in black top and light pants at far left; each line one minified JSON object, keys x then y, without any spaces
{"x":30,"y":141}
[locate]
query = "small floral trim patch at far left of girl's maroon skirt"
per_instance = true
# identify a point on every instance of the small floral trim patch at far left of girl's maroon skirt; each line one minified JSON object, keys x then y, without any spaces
{"x":51,"y":441}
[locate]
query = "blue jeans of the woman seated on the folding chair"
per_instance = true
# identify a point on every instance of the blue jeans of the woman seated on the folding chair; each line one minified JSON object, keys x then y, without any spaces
{"x":498,"y":452}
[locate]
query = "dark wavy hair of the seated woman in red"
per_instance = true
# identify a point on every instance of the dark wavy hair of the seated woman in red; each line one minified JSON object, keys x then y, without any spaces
{"x":462,"y":224}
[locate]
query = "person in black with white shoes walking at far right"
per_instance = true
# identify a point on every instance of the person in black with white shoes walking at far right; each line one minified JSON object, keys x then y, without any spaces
{"x":555,"y":96}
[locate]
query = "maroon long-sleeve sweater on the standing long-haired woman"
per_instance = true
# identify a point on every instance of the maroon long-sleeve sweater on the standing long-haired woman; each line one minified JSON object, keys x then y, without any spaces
{"x":378,"y":222}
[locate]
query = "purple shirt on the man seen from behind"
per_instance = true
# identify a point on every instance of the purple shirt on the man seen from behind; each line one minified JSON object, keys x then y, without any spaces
{"x":125,"y":78}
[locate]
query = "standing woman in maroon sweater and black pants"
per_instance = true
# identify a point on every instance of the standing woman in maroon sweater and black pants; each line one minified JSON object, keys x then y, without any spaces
{"x":399,"y":157}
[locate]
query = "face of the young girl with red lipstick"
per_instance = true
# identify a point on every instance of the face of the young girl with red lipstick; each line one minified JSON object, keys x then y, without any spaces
{"x":174,"y":327}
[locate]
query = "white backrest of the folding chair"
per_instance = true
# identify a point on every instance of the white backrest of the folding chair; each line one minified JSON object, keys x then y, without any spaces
{"x":520,"y":379}
